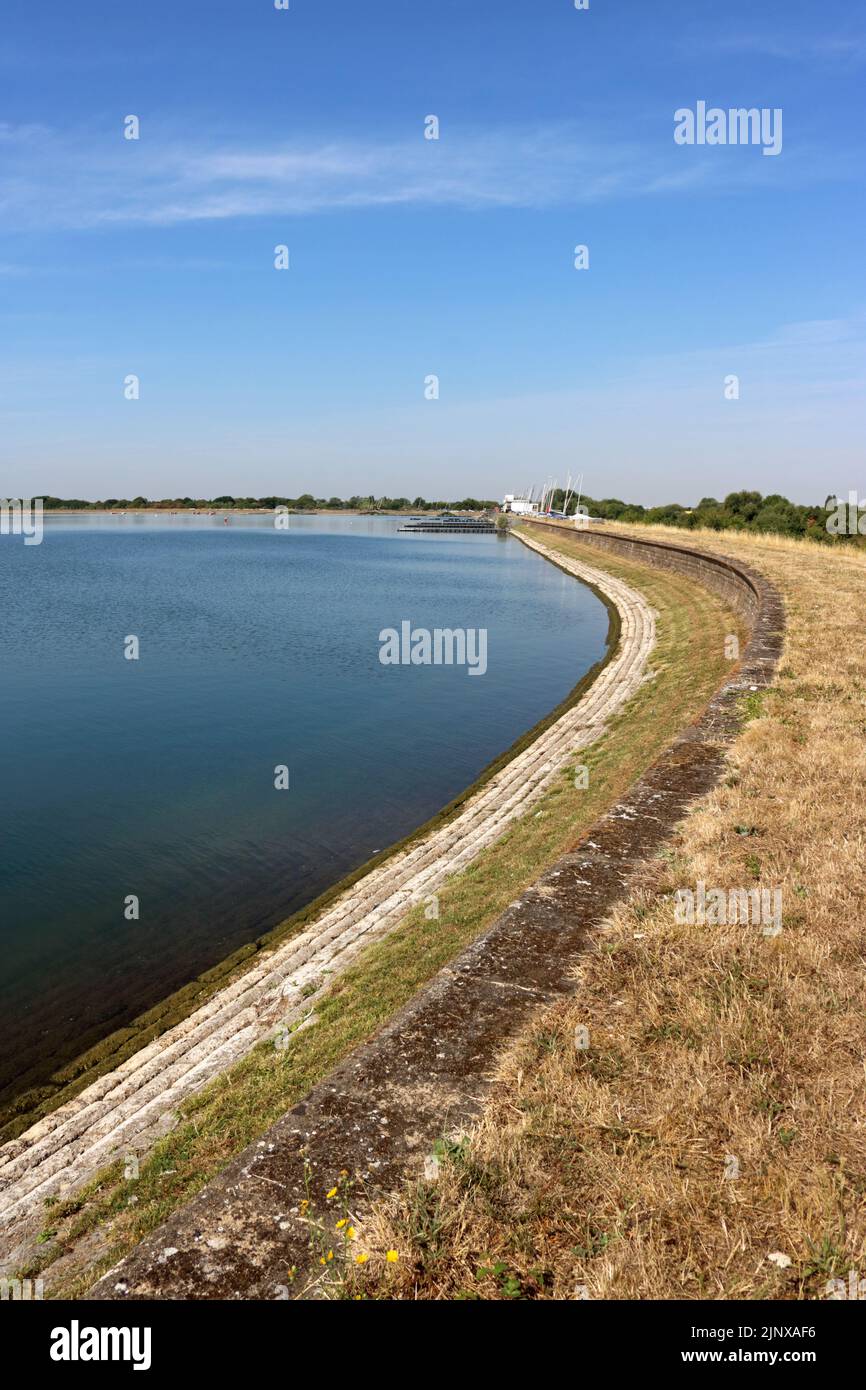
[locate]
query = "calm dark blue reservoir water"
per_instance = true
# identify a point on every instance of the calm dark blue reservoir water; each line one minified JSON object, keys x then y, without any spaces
{"x":156,"y":778}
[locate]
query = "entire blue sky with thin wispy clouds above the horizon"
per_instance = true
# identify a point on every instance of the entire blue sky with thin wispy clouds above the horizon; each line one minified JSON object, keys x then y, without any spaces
{"x":414,"y":258}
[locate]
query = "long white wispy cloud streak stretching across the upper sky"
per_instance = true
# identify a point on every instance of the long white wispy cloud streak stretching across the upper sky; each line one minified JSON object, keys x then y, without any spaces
{"x":56,"y":179}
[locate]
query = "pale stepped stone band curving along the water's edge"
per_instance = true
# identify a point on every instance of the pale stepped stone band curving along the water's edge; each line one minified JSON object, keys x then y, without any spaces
{"x":130,"y":1106}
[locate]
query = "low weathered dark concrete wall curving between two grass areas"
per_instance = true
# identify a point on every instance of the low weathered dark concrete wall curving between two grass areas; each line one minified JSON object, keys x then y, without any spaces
{"x":426,"y":1074}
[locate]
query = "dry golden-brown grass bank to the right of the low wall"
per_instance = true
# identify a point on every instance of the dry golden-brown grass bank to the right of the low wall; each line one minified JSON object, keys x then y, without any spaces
{"x":607,"y":1170}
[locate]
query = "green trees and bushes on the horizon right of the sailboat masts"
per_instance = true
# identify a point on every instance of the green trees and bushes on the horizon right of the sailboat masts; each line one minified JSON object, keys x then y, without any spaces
{"x":739,"y":512}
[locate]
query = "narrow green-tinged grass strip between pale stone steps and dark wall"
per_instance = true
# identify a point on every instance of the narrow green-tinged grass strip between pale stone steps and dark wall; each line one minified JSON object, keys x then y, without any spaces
{"x":88,"y":1234}
